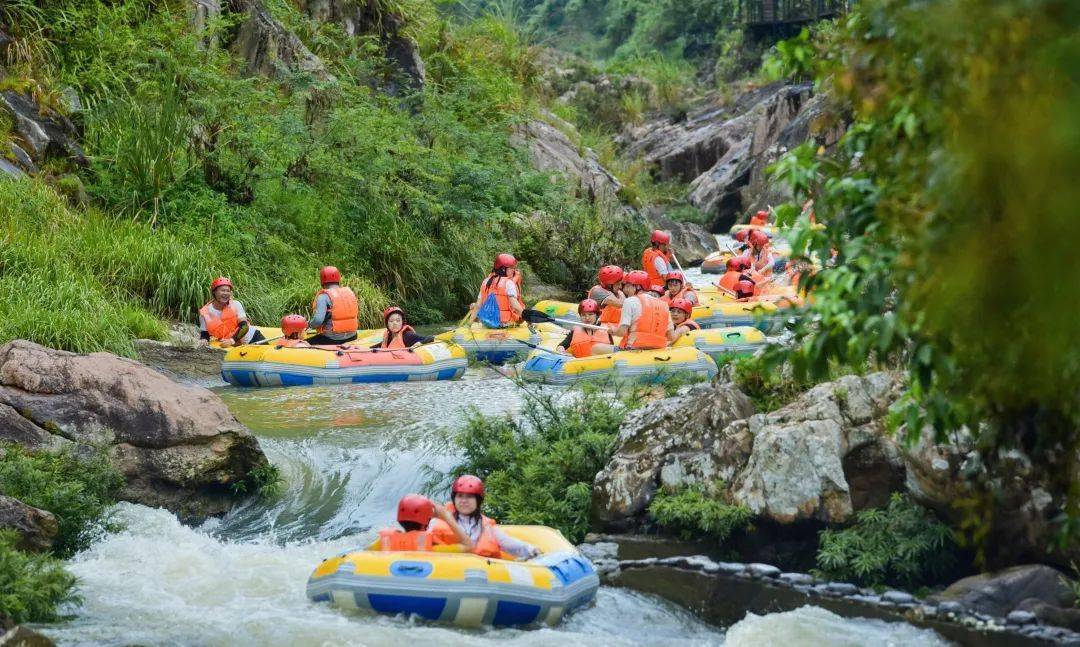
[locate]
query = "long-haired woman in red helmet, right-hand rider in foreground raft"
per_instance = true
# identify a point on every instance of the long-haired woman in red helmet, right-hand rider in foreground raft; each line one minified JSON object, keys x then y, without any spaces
{"x":485,"y":538}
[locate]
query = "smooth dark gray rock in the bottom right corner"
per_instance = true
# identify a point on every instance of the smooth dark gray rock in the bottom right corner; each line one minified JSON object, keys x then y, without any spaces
{"x":1002,"y":592}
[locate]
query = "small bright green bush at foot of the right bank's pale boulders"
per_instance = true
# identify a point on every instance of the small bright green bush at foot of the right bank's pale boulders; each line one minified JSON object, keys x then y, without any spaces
{"x":697,"y":514}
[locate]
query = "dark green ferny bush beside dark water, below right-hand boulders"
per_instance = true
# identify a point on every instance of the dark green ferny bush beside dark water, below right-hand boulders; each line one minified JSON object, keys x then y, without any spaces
{"x":899,"y":545}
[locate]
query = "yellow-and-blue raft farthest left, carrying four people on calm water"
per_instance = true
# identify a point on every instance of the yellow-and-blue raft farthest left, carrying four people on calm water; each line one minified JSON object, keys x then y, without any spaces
{"x":271,"y":366}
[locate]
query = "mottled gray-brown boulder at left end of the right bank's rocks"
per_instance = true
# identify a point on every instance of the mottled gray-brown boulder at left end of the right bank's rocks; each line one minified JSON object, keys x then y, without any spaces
{"x":695,"y":425}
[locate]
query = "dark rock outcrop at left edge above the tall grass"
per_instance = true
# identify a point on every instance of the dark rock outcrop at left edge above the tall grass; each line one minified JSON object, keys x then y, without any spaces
{"x":43,"y":133}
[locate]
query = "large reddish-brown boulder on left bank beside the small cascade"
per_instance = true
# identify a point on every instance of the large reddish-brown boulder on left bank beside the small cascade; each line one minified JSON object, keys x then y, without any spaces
{"x":178,"y":447}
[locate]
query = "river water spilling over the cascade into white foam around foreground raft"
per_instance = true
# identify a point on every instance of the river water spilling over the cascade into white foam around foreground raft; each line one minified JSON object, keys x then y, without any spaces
{"x":347,"y":454}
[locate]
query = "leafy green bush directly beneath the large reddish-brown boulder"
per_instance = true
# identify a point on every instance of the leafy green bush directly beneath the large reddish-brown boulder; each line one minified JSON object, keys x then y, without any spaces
{"x":78,"y":491}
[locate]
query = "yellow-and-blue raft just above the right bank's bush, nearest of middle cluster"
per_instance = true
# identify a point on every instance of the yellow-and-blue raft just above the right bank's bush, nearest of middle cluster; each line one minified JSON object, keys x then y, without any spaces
{"x":628,"y":366}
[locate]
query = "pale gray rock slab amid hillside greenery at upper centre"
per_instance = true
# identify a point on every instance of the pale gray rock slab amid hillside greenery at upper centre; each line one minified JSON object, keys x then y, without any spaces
{"x":551,"y":151}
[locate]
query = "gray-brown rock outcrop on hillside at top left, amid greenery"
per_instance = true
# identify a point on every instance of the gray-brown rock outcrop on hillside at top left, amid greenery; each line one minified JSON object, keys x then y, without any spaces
{"x":268,"y":48}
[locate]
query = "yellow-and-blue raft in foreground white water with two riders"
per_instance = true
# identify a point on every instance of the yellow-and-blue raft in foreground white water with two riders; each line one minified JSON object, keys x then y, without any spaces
{"x":462,"y":588}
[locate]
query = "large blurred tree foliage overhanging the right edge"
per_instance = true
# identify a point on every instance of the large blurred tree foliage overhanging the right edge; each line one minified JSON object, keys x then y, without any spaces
{"x":949,"y":199}
